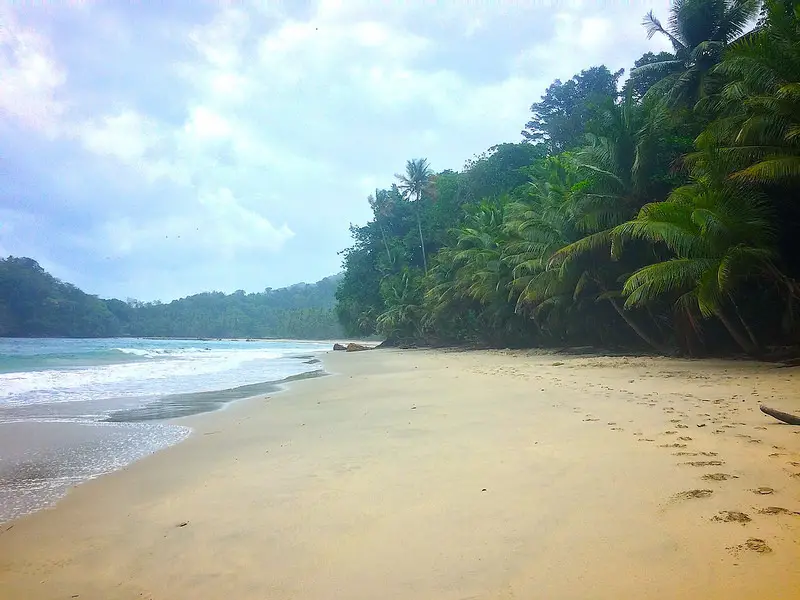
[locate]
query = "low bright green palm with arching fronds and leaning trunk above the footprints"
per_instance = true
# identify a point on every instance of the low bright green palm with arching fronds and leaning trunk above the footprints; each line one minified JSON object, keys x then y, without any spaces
{"x":720,"y":234}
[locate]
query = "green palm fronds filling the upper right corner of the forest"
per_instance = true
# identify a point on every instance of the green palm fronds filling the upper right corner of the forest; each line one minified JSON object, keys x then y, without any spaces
{"x":757,"y":135}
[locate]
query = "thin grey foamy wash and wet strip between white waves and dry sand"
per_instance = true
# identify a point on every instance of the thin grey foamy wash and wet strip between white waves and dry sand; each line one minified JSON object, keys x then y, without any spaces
{"x":44,"y":459}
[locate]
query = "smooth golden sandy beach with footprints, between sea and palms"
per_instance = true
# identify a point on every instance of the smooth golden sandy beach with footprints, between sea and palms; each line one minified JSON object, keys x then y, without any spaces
{"x":448,"y":475}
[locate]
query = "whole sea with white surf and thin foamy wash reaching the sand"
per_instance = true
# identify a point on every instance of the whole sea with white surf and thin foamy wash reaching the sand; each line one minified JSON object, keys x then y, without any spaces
{"x":74,"y":409}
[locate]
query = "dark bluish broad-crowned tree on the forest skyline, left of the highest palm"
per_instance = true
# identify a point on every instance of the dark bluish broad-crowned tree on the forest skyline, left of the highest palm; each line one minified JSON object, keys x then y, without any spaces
{"x":559,"y":119}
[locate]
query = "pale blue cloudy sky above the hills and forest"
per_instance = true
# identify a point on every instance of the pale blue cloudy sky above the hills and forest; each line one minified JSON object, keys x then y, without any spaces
{"x":155,"y":149}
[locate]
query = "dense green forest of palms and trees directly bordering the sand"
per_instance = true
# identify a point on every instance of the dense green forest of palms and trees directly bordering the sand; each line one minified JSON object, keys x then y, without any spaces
{"x":661,"y":214}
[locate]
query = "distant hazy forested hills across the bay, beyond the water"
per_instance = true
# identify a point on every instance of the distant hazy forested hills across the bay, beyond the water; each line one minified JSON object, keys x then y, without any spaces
{"x":33,"y":303}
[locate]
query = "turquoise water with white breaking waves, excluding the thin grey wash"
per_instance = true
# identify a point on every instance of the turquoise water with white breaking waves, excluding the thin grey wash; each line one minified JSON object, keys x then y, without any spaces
{"x":91,"y":379}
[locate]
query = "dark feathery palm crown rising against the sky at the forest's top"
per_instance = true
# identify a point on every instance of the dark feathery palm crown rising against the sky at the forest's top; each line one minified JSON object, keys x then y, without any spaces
{"x":699,"y":31}
